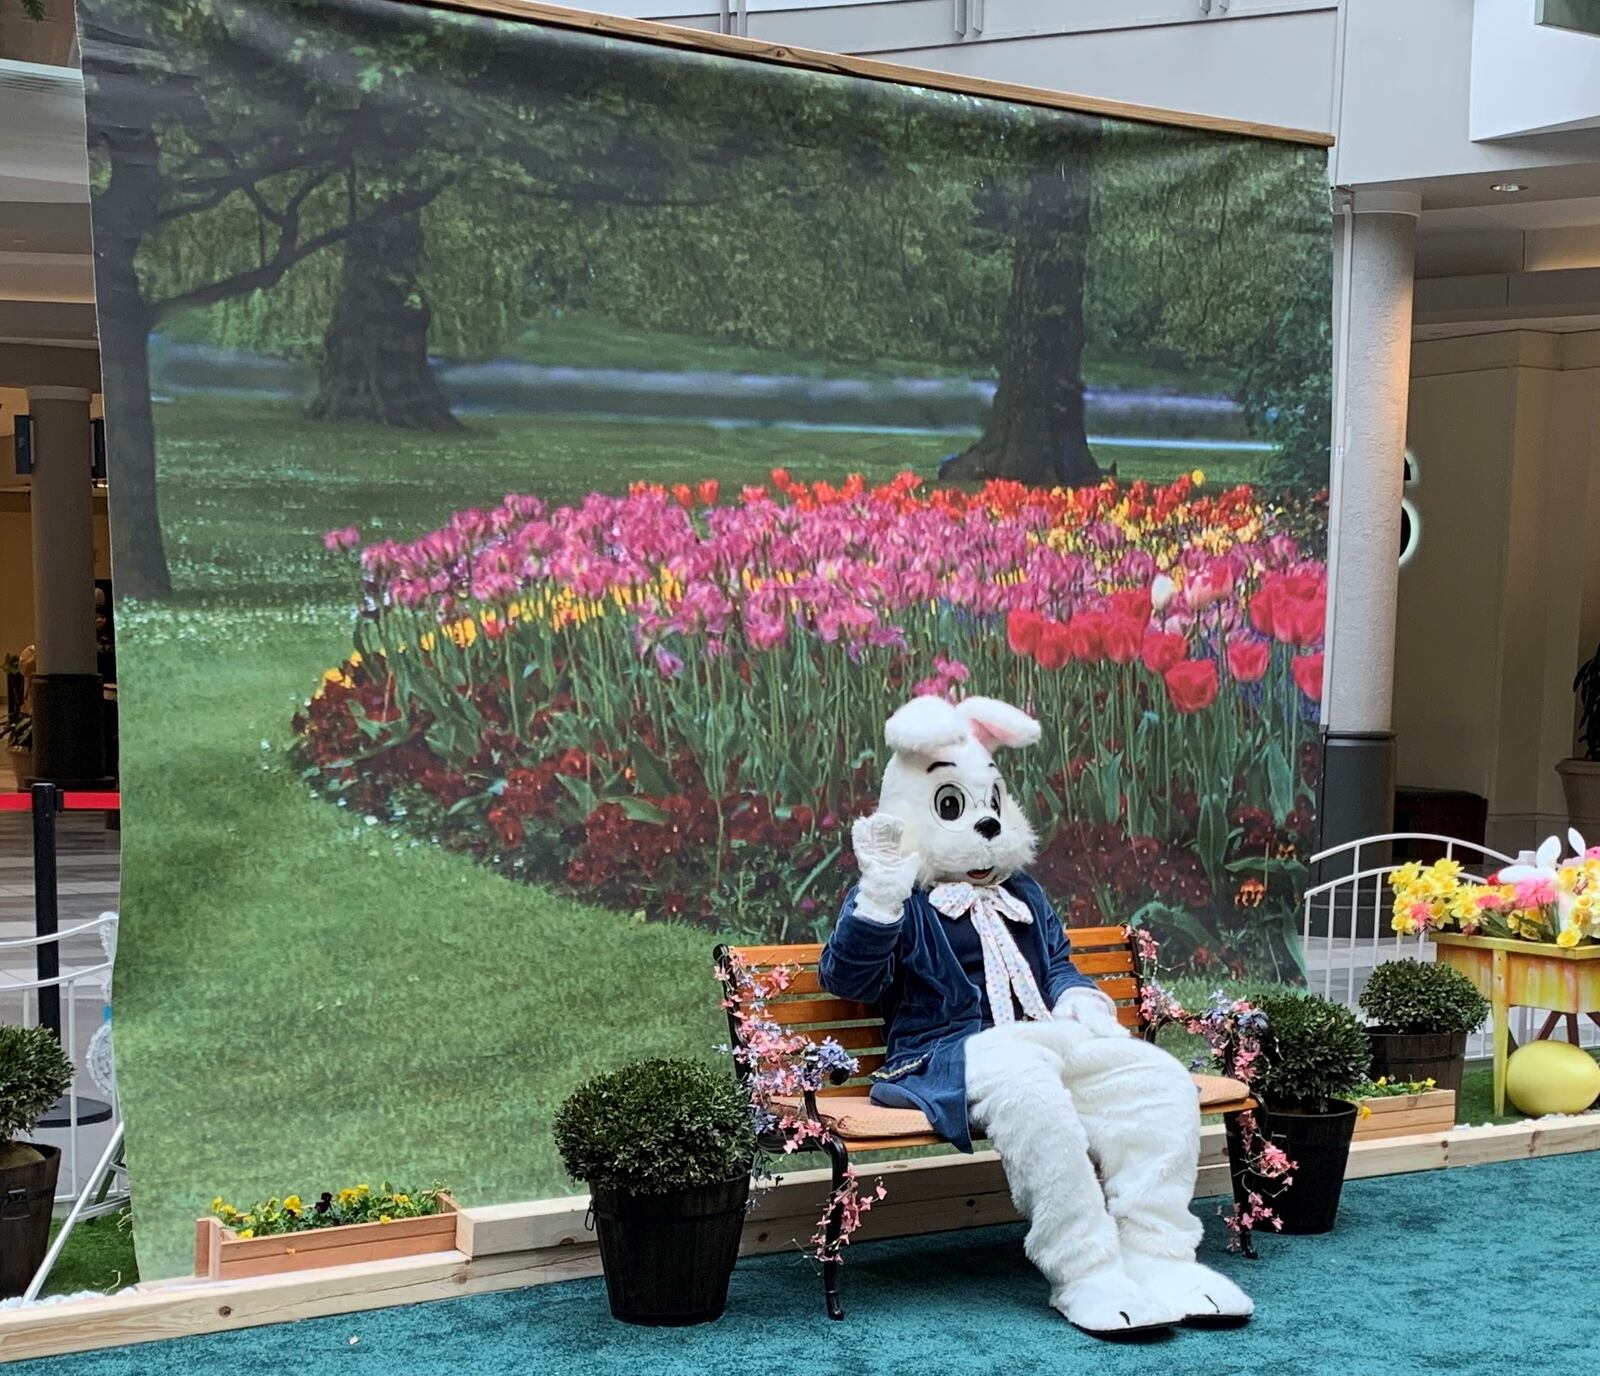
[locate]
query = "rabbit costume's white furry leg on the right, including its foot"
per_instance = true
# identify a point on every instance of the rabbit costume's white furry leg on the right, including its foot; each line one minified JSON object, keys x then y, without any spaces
{"x":1143,"y":1121}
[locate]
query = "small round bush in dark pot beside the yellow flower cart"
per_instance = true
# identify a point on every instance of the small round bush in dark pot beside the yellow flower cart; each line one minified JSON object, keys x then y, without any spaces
{"x":1422,"y":1015}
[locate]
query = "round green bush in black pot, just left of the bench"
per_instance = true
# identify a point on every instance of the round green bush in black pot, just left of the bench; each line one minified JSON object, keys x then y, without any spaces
{"x":666,"y":1150}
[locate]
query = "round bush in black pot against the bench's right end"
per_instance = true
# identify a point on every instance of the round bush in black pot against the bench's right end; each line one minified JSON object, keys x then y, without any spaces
{"x":1314,"y":1055}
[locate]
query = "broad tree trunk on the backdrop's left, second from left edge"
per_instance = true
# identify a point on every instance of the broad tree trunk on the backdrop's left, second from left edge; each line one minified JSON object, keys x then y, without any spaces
{"x":375,"y":354}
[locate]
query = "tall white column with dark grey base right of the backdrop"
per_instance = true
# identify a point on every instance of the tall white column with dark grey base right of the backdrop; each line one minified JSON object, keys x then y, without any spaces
{"x":1377,"y":260}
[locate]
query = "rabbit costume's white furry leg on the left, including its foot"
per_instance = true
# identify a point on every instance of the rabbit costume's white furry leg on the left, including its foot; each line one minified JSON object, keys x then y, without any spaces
{"x":1015,"y":1094}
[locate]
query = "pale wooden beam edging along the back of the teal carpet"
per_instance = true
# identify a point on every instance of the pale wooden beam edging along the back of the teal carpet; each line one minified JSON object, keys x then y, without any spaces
{"x":508,"y":1247}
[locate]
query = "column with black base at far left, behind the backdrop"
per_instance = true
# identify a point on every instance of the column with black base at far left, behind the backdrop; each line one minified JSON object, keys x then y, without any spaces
{"x":70,"y":738}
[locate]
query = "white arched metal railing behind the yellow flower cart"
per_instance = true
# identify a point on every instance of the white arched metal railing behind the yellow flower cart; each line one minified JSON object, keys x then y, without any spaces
{"x":1346,"y":935}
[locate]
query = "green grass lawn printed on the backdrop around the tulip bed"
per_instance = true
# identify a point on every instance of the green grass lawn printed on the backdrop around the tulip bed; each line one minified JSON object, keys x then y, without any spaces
{"x":306,"y":1001}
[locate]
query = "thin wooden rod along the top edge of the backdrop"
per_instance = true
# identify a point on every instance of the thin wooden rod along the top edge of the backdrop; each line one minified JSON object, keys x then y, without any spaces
{"x":729,"y":46}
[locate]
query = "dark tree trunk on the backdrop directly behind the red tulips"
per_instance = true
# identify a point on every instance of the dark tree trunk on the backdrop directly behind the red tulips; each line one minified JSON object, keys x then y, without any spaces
{"x":1034,"y":431}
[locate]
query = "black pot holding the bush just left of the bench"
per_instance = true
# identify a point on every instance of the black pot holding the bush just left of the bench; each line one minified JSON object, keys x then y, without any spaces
{"x":668,"y":1258}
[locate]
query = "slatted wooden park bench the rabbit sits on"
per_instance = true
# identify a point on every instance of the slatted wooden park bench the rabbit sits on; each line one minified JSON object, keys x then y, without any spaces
{"x":854,"y":1124}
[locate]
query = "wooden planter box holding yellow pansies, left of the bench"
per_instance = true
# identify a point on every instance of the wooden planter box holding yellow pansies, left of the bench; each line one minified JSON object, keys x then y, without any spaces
{"x":223,"y":1255}
